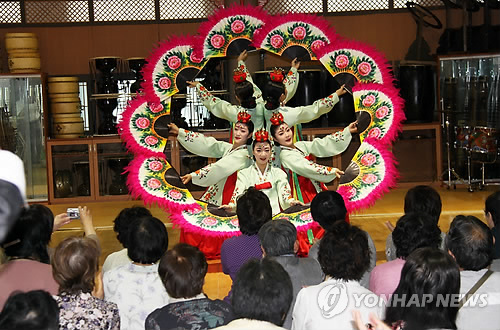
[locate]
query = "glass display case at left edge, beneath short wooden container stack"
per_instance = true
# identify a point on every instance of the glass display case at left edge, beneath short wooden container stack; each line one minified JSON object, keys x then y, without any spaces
{"x":22,"y":128}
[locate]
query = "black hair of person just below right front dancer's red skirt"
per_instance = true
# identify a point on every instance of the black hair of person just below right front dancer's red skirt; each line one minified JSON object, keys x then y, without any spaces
{"x":328,"y":207}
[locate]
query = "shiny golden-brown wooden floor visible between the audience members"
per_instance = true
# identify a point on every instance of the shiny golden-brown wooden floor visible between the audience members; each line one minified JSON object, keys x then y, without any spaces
{"x":390,"y":207}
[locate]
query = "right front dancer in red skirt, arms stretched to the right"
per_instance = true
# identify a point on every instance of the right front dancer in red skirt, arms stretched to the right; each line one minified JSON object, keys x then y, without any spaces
{"x":306,"y":177}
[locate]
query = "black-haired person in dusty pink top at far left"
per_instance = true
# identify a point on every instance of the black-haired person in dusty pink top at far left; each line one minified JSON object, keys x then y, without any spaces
{"x":28,"y":267}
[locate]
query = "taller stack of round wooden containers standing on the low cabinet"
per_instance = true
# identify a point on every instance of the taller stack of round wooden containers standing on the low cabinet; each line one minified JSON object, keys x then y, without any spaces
{"x":65,"y":107}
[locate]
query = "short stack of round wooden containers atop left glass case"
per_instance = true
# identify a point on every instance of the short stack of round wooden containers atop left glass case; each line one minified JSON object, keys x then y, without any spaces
{"x":22,"y":49}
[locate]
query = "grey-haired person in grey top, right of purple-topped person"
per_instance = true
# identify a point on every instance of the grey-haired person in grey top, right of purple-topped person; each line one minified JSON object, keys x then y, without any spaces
{"x":279,"y":242}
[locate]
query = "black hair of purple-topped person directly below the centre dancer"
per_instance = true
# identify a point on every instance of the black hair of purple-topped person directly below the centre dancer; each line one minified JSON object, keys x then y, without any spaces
{"x":253,"y":209}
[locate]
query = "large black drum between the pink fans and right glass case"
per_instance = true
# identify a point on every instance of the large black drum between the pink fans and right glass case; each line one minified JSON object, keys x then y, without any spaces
{"x":417,"y":83}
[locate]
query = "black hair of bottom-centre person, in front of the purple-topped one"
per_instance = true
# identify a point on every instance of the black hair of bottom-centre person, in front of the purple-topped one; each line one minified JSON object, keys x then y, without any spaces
{"x":262,"y":291}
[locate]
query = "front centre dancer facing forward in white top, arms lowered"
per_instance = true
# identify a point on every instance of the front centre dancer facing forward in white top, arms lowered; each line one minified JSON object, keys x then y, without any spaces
{"x":262,"y":175}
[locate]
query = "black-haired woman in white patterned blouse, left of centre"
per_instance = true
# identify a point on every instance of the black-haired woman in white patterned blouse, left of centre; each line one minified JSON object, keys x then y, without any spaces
{"x":136,"y":287}
